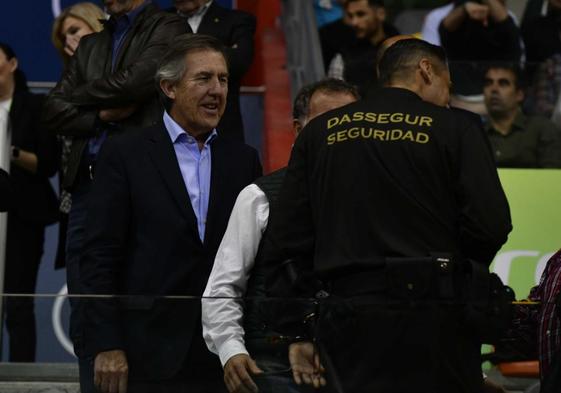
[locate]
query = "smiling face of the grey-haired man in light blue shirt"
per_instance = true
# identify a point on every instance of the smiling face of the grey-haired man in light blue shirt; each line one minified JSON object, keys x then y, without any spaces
{"x":199,"y":98}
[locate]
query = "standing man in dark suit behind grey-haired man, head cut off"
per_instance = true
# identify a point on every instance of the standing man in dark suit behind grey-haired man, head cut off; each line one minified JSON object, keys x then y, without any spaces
{"x":235,"y":29}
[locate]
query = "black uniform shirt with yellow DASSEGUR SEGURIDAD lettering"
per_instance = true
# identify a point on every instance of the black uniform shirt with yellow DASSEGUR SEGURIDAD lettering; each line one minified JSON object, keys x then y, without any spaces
{"x":391,"y":176}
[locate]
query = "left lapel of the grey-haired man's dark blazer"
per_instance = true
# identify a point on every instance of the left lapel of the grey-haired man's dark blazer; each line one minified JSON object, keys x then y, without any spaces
{"x":163,"y":155}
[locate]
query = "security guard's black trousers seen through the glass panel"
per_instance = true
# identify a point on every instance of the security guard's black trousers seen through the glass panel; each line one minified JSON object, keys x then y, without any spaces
{"x":415,"y":348}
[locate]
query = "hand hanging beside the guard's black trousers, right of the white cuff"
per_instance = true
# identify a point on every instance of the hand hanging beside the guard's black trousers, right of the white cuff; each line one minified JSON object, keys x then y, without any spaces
{"x":305,"y":364}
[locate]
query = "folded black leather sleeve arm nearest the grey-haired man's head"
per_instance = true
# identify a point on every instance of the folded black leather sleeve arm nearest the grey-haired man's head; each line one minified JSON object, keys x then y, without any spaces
{"x":135,"y":83}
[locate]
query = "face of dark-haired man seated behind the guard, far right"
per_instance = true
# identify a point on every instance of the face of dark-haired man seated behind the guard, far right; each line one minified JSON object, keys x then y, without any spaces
{"x":501,"y":94}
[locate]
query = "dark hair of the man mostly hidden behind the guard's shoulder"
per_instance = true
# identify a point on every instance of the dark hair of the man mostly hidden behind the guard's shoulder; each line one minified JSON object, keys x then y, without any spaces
{"x":301,"y":105}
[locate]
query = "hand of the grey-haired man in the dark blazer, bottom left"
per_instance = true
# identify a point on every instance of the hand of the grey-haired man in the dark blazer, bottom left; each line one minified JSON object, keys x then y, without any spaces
{"x":111,"y":371}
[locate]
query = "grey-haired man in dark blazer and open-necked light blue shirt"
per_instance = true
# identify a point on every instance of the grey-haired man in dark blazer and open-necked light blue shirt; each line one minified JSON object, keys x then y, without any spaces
{"x":159,"y":207}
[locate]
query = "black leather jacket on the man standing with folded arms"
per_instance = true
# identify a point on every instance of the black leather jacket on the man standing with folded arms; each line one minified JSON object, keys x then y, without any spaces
{"x":88,"y":83}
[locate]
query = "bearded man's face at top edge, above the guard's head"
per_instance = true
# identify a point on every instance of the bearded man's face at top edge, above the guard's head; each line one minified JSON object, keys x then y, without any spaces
{"x":364,"y":19}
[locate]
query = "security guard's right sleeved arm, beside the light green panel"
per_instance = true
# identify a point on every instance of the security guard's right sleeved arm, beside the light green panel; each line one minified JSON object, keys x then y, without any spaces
{"x":484,"y":221}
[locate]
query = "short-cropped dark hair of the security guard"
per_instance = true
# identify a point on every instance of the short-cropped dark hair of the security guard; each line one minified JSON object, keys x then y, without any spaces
{"x":398,"y":59}
